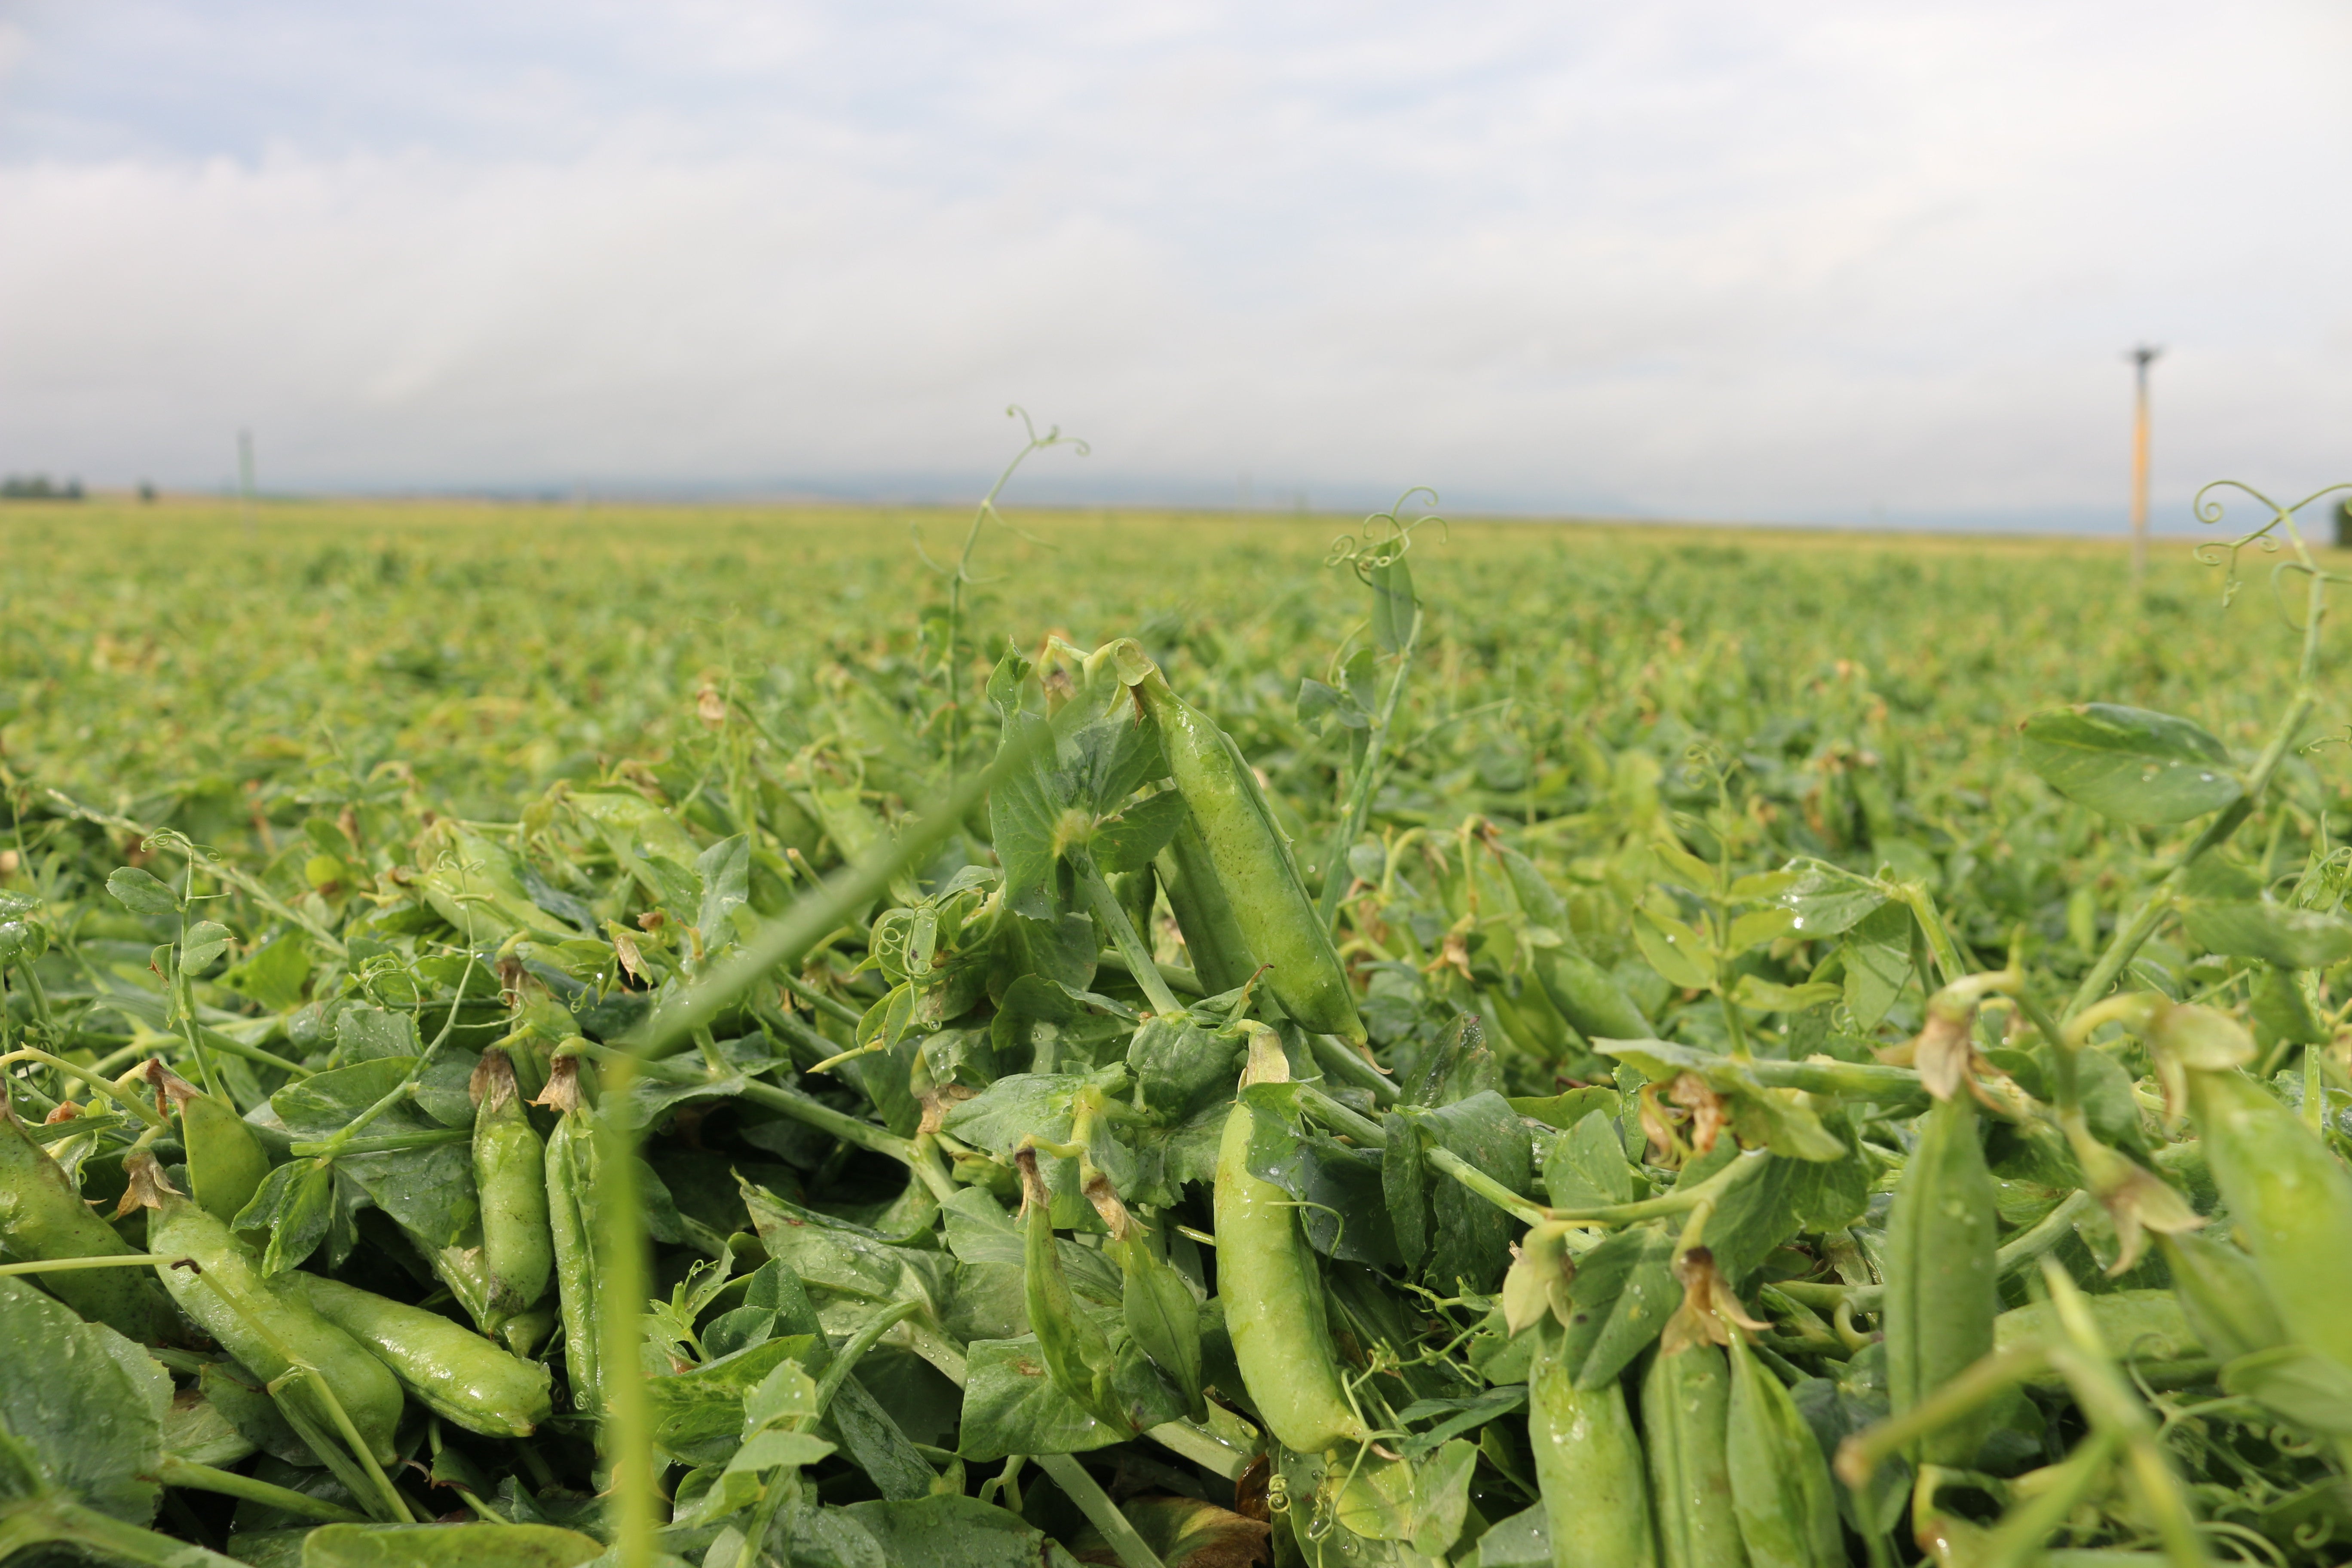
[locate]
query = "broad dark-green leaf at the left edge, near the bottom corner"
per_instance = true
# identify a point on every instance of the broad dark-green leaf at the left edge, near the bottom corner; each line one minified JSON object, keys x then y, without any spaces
{"x":86,"y":1405}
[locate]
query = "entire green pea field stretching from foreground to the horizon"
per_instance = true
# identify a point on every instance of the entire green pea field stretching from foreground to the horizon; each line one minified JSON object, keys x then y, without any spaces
{"x":857,"y":1038}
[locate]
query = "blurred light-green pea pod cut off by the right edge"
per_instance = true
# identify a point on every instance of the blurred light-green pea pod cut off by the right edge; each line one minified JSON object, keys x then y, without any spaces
{"x":2290,"y":1198}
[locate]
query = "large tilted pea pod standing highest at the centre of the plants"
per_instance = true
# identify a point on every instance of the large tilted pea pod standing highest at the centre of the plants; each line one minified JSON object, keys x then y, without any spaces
{"x":1271,"y":904}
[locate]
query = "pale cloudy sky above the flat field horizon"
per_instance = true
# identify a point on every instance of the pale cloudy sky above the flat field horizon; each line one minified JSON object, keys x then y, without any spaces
{"x":1692,"y":257}
